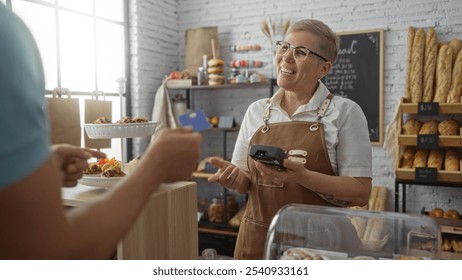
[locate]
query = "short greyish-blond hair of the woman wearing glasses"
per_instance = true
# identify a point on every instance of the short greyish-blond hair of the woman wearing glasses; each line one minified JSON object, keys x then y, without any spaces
{"x":328,"y":44}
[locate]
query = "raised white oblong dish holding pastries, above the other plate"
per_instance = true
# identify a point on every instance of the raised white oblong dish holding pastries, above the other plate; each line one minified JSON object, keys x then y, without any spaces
{"x":120,"y":130}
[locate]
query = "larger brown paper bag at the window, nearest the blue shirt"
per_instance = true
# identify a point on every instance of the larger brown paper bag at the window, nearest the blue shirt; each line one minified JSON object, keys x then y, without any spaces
{"x":64,"y":118}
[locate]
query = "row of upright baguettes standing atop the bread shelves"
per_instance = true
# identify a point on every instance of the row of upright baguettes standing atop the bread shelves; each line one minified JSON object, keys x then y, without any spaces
{"x":434,"y":69}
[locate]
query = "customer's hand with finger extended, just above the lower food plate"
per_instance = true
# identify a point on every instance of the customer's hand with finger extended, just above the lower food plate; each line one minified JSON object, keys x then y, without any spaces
{"x":72,"y":161}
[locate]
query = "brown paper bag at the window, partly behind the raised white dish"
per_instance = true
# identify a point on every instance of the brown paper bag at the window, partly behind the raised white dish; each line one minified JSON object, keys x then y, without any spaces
{"x":95,"y":109}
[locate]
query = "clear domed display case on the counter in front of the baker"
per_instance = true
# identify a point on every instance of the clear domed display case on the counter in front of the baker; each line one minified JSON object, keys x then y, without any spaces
{"x":320,"y":232}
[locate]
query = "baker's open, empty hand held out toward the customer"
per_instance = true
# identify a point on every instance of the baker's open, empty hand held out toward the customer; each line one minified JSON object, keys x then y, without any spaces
{"x":229,"y":175}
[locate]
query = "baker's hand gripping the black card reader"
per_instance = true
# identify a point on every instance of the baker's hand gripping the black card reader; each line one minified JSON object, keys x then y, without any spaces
{"x":293,"y":173}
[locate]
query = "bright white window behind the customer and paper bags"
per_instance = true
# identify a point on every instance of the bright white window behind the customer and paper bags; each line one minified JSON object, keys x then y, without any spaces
{"x":82,"y":44}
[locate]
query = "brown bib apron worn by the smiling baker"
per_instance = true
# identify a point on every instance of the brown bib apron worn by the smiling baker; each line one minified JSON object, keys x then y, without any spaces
{"x":302,"y":141}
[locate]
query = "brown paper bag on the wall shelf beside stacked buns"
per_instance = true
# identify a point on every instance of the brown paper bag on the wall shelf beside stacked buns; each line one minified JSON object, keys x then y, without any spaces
{"x":199,"y":43}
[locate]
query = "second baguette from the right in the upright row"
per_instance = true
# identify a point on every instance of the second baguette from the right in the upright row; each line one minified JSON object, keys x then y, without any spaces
{"x":443,"y":74}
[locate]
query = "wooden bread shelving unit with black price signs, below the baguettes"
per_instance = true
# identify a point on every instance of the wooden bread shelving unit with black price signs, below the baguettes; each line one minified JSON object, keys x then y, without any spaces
{"x":405,"y":176}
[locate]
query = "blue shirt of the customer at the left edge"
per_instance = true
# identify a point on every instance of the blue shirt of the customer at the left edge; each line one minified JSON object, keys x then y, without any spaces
{"x":24,"y":142}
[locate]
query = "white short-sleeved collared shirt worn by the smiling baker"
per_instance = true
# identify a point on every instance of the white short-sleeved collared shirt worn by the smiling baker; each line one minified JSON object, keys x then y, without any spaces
{"x":345,"y":131}
